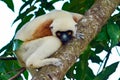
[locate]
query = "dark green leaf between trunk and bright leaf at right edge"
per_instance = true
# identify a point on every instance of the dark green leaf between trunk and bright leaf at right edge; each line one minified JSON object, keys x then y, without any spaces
{"x":100,"y":42}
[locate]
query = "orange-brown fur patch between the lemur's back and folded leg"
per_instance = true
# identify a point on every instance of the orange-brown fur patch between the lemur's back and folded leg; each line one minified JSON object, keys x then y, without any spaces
{"x":43,"y":29}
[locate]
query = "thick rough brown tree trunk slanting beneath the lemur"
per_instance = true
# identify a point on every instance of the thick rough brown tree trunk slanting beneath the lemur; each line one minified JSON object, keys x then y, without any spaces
{"x":90,"y":25}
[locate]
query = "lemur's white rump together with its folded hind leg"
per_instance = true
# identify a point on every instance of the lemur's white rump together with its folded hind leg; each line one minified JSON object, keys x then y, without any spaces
{"x":34,"y":53}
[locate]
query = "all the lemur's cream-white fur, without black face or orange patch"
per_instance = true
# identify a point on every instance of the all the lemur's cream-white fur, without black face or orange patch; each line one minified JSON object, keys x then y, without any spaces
{"x":35,"y":53}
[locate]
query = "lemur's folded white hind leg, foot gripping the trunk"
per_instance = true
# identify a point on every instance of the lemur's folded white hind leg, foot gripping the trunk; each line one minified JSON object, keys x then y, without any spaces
{"x":40,"y":56}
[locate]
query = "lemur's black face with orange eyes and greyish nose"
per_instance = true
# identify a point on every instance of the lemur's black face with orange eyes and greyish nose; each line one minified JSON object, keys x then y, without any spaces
{"x":64,"y":36}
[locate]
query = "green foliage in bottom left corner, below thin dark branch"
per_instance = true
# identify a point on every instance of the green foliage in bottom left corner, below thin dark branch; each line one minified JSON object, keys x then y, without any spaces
{"x":7,"y":69}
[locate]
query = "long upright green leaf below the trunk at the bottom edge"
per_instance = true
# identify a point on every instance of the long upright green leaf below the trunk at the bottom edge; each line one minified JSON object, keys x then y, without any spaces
{"x":82,"y":65}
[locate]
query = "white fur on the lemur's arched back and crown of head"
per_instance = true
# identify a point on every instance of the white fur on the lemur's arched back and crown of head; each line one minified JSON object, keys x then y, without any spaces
{"x":62,"y":20}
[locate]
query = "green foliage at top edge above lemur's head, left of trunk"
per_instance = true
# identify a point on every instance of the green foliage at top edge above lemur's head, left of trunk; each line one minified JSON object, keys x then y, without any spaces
{"x":72,"y":5}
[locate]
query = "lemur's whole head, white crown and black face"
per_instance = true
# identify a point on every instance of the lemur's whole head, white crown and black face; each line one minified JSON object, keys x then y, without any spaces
{"x":65,"y":32}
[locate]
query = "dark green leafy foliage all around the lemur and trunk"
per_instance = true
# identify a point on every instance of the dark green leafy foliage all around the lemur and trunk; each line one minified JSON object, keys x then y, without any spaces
{"x":105,"y":41}
